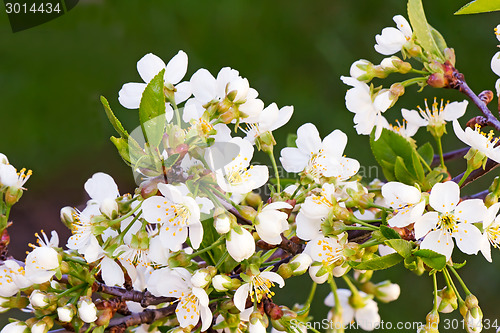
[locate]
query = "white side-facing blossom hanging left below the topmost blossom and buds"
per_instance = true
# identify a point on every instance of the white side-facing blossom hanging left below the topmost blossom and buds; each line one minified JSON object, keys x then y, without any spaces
{"x":360,"y":101}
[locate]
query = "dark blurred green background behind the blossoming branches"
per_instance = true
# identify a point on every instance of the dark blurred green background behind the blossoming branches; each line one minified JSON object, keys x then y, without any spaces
{"x":292,"y":52}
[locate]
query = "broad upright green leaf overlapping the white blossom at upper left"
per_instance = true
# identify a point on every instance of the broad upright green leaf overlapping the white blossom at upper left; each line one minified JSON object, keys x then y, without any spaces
{"x":152,"y":111}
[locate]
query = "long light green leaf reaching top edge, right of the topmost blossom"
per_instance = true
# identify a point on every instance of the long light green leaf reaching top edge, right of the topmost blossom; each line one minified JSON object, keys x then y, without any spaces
{"x":421,"y":28}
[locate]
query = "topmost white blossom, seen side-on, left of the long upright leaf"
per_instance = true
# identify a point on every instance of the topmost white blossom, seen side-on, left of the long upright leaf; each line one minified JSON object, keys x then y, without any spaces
{"x":392,"y":40}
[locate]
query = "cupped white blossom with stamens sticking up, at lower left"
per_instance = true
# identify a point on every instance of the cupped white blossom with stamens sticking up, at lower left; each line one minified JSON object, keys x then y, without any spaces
{"x":43,"y":261}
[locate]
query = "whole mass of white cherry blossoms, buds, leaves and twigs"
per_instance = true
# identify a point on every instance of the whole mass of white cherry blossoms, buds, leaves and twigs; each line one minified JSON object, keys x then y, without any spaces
{"x":197,"y":247}
